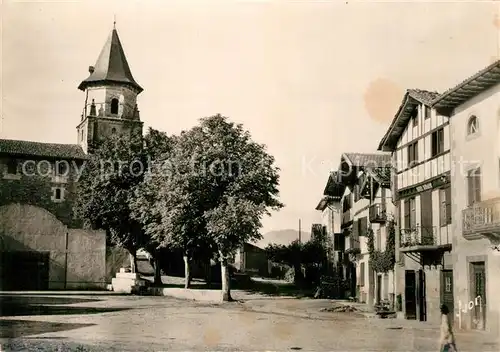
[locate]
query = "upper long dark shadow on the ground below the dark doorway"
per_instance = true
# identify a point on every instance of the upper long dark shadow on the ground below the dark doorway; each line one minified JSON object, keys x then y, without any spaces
{"x":38,"y":305}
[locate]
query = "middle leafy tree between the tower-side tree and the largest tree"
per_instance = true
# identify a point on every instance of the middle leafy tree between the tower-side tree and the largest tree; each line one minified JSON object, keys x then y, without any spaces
{"x":171,"y":216}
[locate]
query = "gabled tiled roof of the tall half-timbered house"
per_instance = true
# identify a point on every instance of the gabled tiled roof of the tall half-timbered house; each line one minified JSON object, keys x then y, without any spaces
{"x":411,"y":99}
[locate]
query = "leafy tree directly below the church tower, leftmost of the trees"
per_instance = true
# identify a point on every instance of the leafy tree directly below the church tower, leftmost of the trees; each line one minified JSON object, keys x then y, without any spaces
{"x":107,"y":181}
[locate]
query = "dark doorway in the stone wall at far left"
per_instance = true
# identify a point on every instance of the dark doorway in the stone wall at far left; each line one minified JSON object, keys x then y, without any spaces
{"x":24,"y":270}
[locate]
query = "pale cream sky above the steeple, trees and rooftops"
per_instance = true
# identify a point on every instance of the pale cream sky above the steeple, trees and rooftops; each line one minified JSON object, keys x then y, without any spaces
{"x":310,"y":80}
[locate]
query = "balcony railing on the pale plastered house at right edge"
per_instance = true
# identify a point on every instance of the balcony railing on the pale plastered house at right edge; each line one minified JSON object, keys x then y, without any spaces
{"x":482,"y":217}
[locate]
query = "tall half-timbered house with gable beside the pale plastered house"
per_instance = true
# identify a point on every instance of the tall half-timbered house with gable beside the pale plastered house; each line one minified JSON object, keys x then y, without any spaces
{"x":418,"y":139}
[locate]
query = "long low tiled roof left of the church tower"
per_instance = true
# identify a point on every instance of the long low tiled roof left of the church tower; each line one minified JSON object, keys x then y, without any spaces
{"x":49,"y":150}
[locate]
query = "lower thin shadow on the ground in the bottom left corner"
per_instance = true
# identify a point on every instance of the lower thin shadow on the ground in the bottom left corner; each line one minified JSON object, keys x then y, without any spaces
{"x":10,"y":329}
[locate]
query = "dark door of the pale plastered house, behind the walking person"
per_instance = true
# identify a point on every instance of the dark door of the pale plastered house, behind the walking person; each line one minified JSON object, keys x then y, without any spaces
{"x":478,"y":290}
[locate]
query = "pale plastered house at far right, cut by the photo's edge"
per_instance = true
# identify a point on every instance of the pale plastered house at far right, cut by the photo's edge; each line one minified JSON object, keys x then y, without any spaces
{"x":474,"y":110}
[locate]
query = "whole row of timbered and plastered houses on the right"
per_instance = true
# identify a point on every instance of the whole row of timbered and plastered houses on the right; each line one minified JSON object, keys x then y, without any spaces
{"x":430,"y":194}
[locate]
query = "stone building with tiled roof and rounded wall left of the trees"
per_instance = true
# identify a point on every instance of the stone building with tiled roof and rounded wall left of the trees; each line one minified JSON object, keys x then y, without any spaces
{"x":42,"y":245}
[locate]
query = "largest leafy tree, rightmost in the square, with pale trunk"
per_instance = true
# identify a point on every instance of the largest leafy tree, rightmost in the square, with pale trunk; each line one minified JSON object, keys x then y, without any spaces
{"x":233,"y":181}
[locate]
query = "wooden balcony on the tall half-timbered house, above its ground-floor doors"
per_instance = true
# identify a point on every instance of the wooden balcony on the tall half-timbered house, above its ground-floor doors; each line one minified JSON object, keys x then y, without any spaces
{"x":424,"y":239}
